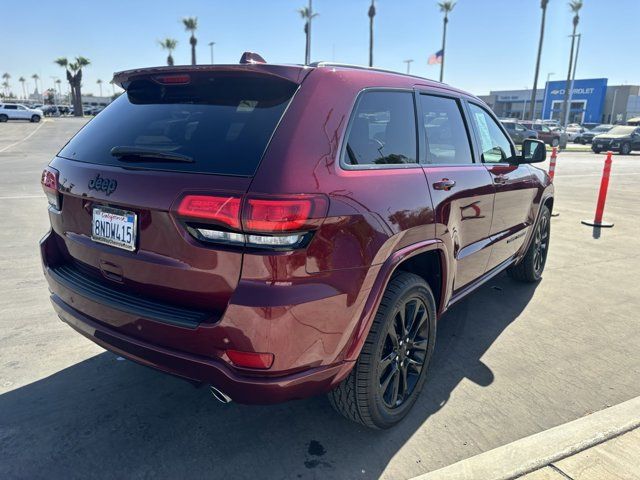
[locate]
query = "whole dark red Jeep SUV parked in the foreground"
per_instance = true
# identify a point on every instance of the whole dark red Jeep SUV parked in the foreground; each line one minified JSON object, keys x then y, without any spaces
{"x":278,"y":232}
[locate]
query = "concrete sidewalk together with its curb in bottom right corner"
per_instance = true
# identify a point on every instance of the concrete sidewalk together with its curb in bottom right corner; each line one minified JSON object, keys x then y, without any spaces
{"x":602,"y":446}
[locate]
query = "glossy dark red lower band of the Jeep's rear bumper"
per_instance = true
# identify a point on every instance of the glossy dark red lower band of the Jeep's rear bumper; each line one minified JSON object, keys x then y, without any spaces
{"x":241,"y":388}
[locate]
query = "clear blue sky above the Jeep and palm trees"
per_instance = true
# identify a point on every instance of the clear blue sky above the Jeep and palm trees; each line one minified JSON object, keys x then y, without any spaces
{"x":491,"y":44}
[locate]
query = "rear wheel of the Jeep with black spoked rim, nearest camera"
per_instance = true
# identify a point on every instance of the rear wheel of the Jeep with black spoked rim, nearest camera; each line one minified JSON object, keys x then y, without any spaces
{"x":363,"y":396}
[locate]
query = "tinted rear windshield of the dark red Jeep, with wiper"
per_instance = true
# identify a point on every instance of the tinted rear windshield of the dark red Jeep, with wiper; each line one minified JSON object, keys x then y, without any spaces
{"x":221,"y":124}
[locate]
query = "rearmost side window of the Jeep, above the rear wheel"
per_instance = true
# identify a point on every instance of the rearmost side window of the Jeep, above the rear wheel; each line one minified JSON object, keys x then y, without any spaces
{"x":383,"y":130}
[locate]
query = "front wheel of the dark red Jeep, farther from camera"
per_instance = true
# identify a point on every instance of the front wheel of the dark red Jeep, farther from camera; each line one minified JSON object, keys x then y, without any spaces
{"x":531,"y":266}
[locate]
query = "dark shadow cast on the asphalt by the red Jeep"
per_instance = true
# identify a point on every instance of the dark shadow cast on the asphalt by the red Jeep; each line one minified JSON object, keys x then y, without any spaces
{"x":104,"y":418}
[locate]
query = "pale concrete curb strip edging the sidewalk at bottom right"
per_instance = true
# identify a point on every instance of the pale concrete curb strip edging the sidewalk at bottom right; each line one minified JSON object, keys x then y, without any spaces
{"x":536,"y":451}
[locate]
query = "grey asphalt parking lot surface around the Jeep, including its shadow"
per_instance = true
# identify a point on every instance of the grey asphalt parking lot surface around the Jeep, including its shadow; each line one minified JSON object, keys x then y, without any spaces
{"x":511,"y":360}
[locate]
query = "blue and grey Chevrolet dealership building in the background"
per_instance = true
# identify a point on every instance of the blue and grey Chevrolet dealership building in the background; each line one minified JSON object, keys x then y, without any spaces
{"x":592,"y":101}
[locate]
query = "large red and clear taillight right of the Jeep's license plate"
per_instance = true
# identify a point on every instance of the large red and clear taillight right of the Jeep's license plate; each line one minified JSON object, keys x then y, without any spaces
{"x":263,"y":222}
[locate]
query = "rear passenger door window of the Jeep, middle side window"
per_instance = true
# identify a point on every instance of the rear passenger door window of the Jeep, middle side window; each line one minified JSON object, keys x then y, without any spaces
{"x":445,"y":133}
